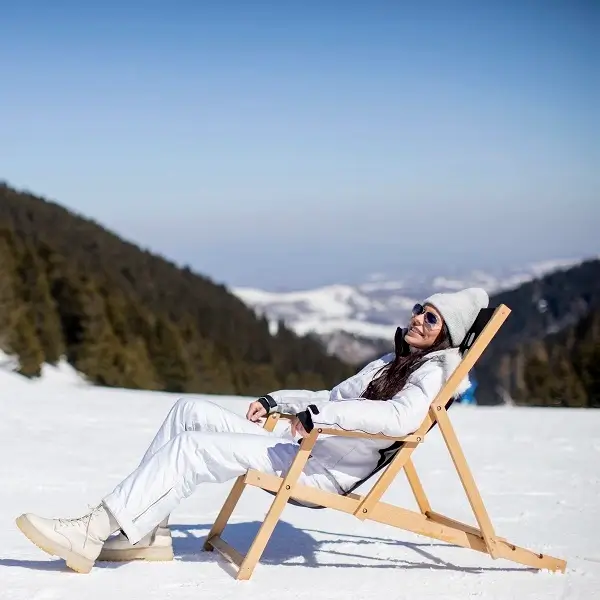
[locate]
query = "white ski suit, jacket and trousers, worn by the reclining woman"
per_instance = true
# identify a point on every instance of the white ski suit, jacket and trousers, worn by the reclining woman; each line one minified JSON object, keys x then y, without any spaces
{"x":200,"y":441}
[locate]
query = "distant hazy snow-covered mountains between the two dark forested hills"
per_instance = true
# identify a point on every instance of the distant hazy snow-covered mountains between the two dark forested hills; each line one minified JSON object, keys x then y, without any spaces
{"x":355,"y":320}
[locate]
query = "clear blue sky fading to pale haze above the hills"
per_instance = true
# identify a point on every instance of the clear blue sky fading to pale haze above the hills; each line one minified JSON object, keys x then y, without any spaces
{"x":284,"y":144}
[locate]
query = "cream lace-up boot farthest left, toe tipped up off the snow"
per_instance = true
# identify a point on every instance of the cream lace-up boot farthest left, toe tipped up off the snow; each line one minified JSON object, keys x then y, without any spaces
{"x":77,"y":541}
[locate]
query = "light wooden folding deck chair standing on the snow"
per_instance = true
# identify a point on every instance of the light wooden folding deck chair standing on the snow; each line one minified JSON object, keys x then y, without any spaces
{"x":369,"y":506}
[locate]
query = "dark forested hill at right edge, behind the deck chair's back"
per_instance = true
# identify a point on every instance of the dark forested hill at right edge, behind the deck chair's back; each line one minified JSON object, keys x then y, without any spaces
{"x":548,"y":351}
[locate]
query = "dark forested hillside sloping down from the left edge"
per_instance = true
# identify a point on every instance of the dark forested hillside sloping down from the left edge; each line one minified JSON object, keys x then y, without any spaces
{"x":126,"y":317}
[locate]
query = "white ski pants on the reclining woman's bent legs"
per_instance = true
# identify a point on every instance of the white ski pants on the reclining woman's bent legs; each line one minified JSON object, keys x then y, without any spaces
{"x":200,"y":442}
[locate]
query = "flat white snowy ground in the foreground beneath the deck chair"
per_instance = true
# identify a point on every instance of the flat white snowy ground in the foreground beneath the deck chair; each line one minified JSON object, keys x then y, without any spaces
{"x":65,"y":444}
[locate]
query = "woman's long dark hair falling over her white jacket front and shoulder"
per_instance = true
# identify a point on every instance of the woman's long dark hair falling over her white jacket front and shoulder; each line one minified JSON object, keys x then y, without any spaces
{"x":393,"y":377}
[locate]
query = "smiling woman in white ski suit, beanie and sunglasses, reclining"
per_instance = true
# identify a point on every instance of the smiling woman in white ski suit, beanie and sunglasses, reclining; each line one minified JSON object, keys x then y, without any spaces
{"x":201,"y":442}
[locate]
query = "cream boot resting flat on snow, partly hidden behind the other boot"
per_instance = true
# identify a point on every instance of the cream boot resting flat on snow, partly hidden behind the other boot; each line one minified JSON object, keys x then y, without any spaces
{"x":157,"y":545}
